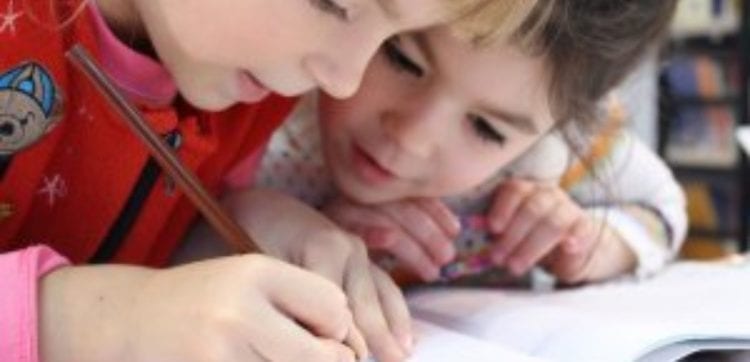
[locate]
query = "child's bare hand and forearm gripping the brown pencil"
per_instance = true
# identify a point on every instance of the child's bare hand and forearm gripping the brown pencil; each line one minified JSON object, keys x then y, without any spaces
{"x":232,"y":309}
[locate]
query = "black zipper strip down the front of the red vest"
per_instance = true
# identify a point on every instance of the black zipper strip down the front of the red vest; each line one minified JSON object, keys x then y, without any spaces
{"x":138,"y":196}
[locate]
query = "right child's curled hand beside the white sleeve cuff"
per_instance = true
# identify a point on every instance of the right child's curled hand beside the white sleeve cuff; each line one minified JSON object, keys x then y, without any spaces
{"x":536,"y":223}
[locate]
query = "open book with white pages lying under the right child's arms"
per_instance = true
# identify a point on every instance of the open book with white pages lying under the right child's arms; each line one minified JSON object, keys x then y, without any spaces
{"x":690,"y":307}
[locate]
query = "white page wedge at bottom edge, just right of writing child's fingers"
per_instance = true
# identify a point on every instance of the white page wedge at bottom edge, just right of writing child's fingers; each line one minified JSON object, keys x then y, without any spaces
{"x":437,"y":344}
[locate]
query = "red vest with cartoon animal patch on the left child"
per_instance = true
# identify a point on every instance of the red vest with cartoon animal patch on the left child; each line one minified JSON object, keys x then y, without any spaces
{"x":87,"y":187}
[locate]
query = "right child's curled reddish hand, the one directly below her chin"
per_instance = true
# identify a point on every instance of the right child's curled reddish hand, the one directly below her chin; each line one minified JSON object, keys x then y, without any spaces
{"x":419,"y":233}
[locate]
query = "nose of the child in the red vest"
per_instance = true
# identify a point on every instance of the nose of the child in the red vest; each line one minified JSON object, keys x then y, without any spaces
{"x":339,"y":70}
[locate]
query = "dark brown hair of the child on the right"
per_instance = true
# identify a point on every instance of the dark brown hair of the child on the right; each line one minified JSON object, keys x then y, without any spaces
{"x":590,"y":46}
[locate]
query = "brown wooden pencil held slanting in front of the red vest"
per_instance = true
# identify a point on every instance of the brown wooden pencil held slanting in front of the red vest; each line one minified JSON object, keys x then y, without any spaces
{"x":233,"y":234}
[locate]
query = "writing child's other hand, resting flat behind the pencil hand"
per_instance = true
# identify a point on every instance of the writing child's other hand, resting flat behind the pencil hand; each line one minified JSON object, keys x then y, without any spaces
{"x":289,"y":229}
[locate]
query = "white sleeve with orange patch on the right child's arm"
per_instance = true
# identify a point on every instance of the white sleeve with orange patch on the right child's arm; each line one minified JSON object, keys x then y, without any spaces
{"x":628,"y":187}
